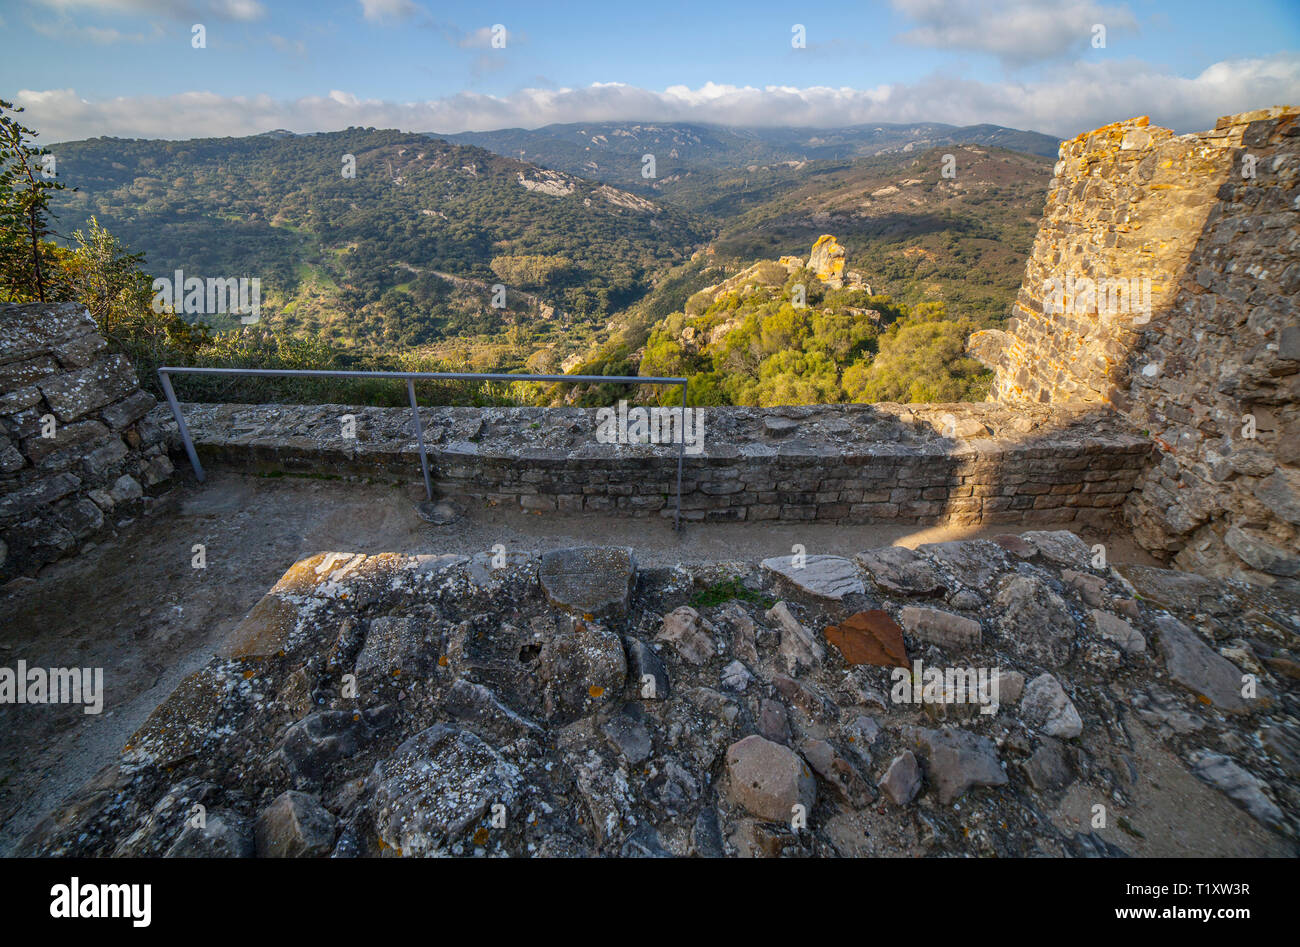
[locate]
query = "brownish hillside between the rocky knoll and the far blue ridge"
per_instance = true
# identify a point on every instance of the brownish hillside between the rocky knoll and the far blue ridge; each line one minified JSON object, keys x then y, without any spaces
{"x":913,"y":232}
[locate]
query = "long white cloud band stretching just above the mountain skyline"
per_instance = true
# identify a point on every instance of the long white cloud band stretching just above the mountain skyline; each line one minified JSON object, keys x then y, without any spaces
{"x":1078,"y":98}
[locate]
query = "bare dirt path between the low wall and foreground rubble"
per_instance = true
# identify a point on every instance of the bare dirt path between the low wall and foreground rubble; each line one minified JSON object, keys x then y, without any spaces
{"x":137,"y":608}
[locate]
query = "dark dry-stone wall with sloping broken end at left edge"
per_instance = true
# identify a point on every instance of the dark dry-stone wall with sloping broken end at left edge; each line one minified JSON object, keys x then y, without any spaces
{"x":77,"y":447}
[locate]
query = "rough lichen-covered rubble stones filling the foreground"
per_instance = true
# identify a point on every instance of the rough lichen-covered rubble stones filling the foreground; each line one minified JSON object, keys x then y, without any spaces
{"x":574,"y":704}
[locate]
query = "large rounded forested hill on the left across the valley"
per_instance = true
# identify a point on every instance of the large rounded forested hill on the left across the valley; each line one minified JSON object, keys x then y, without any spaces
{"x":365,"y":262}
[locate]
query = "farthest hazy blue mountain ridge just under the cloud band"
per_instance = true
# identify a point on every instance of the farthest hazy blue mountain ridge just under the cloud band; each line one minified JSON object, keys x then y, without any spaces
{"x":613,"y":152}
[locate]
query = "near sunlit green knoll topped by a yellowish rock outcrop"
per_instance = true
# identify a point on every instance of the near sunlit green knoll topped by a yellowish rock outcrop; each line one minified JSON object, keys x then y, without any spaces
{"x":796,"y":332}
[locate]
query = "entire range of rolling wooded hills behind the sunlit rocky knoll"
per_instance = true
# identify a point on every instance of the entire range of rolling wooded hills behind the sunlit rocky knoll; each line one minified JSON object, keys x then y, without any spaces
{"x":404,"y":257}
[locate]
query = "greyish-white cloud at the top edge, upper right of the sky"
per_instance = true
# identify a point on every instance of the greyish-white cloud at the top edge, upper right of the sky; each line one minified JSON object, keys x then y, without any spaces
{"x":1017,"y":32}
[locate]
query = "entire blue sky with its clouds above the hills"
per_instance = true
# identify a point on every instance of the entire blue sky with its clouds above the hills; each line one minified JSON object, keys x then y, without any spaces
{"x":128,"y":67}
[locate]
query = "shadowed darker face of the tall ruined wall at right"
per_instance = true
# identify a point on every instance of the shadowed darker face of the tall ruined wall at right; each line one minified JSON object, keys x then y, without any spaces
{"x":1216,"y":379}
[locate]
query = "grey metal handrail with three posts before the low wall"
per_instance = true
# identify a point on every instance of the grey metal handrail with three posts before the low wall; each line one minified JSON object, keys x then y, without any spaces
{"x":411,"y":378}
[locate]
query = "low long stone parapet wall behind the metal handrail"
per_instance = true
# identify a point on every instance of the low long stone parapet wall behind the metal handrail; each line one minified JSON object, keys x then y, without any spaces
{"x":896,"y":464}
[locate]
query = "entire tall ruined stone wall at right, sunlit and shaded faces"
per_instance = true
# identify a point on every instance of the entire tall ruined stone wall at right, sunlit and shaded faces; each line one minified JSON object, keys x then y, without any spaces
{"x":1212,"y":374}
